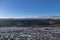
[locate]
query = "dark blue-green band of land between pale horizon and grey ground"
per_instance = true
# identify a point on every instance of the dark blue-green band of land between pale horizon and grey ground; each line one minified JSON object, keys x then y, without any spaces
{"x":27,"y":22}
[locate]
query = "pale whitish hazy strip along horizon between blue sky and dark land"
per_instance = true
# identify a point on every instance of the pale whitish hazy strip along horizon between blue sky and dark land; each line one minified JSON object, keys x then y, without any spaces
{"x":44,"y":17}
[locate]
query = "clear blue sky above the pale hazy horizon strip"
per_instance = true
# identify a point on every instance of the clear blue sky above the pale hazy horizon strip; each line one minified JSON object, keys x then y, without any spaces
{"x":29,"y":8}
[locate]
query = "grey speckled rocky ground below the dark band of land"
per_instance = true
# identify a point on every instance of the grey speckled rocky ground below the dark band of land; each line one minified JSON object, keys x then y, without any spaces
{"x":29,"y":33}
